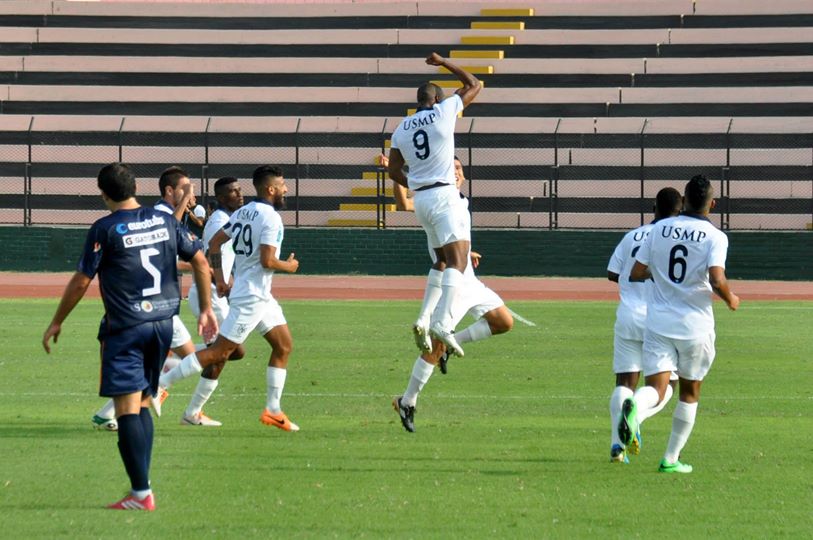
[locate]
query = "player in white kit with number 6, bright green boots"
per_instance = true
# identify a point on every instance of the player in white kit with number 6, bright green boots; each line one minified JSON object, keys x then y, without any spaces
{"x":685,"y":257}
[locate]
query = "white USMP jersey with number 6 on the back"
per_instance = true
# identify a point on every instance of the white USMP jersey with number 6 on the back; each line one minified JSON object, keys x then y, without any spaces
{"x":679,"y":252}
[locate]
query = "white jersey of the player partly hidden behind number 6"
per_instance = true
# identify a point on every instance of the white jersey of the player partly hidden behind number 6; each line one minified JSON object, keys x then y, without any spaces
{"x":630,"y":316}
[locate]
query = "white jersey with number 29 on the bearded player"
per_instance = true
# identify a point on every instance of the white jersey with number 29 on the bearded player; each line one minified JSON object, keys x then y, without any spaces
{"x":252,"y":225}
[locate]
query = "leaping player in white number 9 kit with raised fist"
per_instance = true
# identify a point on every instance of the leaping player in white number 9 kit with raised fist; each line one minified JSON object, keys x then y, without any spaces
{"x":425,"y":143}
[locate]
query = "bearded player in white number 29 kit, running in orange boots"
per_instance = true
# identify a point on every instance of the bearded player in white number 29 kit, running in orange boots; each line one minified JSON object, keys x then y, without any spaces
{"x":256,"y":232}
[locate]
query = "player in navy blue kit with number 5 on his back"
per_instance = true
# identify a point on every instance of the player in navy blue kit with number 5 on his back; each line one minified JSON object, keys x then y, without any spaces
{"x":133,"y":250}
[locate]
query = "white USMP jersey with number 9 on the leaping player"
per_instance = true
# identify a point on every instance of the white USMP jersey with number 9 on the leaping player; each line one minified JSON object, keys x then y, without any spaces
{"x":426,"y":140}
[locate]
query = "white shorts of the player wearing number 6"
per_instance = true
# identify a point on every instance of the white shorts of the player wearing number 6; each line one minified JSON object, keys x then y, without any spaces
{"x":690,"y":358}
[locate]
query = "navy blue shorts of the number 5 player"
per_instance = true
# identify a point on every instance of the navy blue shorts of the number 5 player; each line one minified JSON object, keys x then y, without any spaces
{"x":133,"y":357}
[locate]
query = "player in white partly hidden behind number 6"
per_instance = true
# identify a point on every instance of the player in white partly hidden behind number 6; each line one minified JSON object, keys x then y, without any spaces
{"x":630,"y":318}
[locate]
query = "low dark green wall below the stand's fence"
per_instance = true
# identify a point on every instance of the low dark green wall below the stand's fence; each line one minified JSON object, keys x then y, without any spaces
{"x":752,"y":255}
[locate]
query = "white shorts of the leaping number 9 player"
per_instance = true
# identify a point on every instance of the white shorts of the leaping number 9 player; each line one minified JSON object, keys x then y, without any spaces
{"x":443,"y":215}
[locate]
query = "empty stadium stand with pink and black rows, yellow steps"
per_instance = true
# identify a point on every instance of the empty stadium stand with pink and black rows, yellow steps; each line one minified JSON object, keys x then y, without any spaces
{"x":588,"y":107}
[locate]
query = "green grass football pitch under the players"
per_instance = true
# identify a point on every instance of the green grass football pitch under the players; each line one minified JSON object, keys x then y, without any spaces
{"x":513,"y":442}
